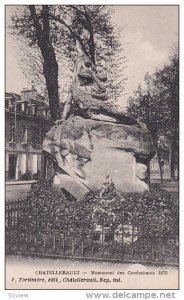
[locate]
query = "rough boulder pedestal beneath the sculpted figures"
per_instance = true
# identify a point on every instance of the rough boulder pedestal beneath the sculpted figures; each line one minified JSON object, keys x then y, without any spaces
{"x":86,"y":151}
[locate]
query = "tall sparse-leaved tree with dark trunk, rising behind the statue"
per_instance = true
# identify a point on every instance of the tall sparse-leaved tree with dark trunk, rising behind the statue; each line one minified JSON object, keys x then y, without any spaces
{"x":53,"y":30}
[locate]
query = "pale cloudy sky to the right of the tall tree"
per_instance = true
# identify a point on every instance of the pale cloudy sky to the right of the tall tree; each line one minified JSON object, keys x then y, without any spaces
{"x":149,"y":35}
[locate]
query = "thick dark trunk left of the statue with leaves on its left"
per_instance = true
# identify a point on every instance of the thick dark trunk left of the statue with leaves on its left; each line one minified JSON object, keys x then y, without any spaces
{"x":35,"y":26}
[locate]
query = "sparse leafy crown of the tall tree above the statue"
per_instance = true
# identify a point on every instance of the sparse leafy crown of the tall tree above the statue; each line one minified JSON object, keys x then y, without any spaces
{"x":91,"y":25}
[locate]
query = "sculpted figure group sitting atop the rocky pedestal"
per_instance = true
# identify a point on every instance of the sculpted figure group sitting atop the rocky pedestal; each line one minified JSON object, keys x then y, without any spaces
{"x":87,"y":95}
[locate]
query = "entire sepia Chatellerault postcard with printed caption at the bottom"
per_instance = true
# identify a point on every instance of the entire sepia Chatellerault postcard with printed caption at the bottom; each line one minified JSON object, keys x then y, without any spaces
{"x":92,"y":147}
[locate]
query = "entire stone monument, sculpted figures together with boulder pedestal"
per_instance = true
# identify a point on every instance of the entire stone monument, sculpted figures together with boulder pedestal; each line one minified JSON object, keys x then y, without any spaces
{"x":94,"y":140}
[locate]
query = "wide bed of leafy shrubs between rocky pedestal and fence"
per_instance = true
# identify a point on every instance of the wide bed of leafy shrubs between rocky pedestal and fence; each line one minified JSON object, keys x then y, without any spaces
{"x":53,"y":209}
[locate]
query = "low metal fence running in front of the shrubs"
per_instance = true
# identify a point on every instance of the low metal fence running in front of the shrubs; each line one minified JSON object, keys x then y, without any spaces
{"x":131,"y":242}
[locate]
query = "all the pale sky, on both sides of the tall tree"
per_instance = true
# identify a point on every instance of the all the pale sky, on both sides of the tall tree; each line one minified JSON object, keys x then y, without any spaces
{"x":149,"y":34}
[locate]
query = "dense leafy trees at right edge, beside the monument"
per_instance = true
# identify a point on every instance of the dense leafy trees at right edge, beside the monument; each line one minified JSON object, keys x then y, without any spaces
{"x":158,"y":106}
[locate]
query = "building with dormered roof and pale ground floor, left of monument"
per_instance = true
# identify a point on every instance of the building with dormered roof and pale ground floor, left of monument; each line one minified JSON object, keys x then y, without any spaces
{"x":27,"y":119}
